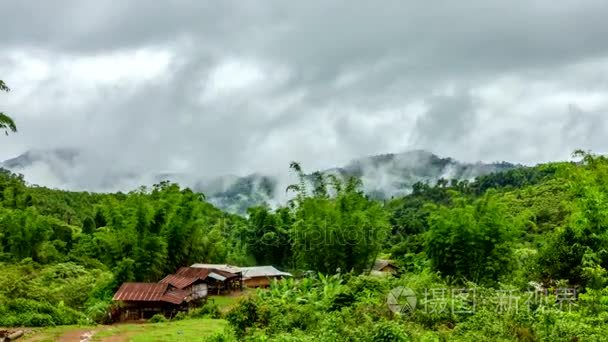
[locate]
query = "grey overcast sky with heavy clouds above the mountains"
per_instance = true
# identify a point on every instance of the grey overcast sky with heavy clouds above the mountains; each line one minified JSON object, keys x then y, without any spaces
{"x":221,"y":87}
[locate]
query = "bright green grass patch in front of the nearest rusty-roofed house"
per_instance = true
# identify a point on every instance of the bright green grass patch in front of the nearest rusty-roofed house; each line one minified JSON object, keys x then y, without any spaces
{"x":186,"y":330}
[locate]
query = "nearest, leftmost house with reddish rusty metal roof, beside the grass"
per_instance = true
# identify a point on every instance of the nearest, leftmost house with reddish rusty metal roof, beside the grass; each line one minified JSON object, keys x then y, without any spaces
{"x":144,"y":300}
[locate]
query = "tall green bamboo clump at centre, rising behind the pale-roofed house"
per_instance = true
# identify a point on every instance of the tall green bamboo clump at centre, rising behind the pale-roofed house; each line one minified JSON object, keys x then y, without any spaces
{"x":343,"y":232}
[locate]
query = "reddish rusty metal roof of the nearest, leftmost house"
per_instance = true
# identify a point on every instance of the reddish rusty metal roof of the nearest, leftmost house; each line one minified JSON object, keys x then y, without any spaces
{"x":149,"y":292}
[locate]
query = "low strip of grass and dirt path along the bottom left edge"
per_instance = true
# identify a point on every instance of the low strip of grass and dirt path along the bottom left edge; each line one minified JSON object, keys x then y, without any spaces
{"x":186,"y":330}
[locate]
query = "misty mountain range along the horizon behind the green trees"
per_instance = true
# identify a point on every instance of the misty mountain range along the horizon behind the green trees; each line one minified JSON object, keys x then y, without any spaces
{"x":383,"y":176}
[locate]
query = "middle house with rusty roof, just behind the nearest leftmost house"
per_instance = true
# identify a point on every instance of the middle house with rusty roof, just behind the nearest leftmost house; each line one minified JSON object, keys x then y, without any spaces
{"x":216,"y":280}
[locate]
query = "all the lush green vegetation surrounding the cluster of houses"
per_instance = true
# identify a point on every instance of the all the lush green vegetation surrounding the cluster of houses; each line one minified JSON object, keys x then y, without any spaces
{"x":528,"y":245}
